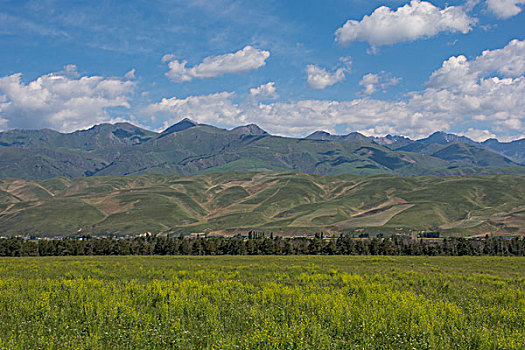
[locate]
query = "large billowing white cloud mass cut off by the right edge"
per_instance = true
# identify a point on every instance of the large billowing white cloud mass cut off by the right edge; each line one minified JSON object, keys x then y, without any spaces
{"x":474,"y":87}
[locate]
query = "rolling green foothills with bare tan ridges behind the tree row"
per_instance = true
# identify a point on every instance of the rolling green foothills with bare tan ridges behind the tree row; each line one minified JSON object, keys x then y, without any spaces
{"x":284,"y":203}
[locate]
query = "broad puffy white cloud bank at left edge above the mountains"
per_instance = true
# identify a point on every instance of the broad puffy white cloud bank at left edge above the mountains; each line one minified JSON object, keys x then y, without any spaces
{"x":62,"y":101}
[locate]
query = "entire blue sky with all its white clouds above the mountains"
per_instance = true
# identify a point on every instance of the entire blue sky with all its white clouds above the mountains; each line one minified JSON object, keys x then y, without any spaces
{"x":292,"y":67}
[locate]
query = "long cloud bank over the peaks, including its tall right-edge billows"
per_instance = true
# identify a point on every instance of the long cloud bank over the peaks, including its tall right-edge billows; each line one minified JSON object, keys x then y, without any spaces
{"x":461,"y":95}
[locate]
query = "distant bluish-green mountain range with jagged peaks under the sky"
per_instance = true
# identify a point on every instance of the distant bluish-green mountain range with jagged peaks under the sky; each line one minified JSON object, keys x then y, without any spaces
{"x":188,"y":147}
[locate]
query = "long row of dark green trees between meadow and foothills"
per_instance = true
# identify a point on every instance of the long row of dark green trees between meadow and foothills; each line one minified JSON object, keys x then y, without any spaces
{"x":262,"y":246}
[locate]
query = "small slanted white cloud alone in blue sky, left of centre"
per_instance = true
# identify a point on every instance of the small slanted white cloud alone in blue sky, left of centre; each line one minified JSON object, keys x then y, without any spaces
{"x":249,"y":58}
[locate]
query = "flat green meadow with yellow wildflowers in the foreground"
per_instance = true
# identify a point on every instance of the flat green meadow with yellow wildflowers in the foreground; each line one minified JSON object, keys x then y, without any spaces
{"x":308,"y":302}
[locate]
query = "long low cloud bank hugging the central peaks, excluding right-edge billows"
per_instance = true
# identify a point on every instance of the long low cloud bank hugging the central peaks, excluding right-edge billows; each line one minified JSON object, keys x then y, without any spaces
{"x":294,"y":118}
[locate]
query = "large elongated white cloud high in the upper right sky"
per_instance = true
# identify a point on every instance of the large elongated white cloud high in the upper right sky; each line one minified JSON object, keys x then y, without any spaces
{"x":419,"y":19}
